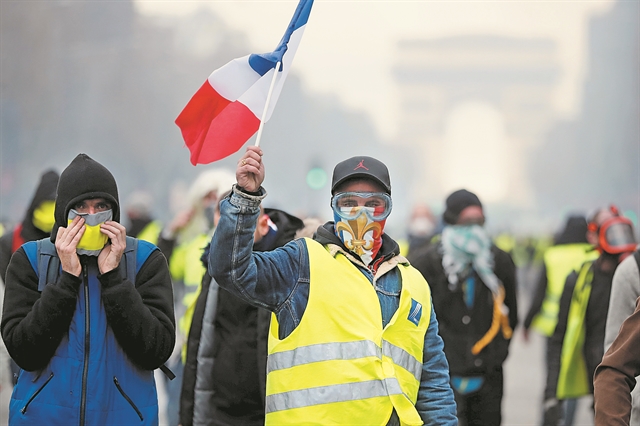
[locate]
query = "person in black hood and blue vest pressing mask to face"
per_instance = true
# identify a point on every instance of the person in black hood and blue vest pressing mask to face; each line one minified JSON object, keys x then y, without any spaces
{"x":87,"y":341}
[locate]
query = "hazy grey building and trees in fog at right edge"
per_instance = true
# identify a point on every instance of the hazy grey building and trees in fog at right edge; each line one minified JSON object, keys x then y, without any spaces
{"x":594,"y":160}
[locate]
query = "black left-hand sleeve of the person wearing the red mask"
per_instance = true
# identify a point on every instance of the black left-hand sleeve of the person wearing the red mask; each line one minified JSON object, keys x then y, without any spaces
{"x":556,"y":340}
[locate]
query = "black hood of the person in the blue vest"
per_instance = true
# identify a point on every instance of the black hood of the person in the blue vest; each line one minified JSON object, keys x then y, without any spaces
{"x":82,"y":179}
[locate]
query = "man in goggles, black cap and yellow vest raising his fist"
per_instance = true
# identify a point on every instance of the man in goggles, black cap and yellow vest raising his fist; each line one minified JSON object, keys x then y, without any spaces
{"x":353,"y":338}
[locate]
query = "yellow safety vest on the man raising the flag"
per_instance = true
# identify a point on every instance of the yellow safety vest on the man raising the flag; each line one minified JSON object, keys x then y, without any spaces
{"x":339,"y":365}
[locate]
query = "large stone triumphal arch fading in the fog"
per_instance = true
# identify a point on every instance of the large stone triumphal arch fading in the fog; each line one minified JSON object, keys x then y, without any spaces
{"x":475,"y":106}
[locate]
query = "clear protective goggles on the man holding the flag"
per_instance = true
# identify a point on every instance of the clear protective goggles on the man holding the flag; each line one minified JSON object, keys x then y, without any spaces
{"x":349,"y":205}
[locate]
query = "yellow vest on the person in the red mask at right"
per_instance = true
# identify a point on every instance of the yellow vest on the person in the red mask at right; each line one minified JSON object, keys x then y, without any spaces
{"x":573,"y":380}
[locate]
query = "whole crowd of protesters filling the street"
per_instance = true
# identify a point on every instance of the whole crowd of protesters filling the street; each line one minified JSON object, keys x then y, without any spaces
{"x":215,"y":299}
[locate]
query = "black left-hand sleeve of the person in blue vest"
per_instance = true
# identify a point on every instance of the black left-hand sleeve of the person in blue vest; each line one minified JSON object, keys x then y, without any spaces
{"x":34,"y":323}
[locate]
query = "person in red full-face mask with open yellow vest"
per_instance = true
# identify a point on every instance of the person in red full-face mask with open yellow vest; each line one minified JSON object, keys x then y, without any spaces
{"x":577,"y":344}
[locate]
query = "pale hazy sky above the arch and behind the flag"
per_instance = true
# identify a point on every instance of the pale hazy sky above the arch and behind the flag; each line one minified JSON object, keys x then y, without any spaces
{"x":348,"y":47}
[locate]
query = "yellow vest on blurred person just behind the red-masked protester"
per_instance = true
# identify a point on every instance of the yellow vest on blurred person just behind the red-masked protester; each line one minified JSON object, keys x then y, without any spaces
{"x":560,"y":261}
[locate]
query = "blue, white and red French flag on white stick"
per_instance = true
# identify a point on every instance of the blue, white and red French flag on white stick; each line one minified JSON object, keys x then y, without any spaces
{"x":225,"y":112}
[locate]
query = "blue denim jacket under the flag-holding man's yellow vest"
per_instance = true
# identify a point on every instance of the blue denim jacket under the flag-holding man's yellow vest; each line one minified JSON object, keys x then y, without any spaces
{"x":279,"y":281}
